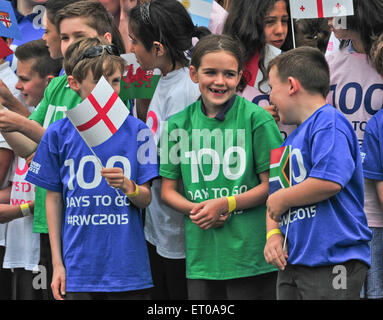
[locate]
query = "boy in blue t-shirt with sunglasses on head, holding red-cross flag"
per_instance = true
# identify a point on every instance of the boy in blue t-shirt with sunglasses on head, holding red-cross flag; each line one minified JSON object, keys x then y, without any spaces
{"x":103,"y":245}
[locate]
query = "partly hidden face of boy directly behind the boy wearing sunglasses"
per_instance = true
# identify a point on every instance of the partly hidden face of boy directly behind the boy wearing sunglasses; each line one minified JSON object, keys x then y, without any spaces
{"x":72,"y":29}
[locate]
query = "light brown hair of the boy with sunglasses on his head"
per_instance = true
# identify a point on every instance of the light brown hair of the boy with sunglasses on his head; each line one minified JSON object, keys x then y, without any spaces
{"x":103,"y":65}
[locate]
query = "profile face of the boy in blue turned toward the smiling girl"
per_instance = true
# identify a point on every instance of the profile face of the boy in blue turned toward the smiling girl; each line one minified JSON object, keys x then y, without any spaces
{"x":279,"y":96}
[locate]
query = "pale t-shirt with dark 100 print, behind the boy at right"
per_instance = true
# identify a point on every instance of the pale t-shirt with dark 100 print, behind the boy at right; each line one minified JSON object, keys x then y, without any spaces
{"x":357,"y":91}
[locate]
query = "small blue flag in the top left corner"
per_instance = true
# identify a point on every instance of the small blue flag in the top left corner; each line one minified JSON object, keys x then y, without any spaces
{"x":8,"y":23}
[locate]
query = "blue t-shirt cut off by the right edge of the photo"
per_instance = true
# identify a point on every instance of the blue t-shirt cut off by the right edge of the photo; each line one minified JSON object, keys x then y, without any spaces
{"x":372,"y":148}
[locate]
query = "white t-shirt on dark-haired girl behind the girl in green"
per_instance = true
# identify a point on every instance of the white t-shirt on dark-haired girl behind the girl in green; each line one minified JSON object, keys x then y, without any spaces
{"x":164,"y":227}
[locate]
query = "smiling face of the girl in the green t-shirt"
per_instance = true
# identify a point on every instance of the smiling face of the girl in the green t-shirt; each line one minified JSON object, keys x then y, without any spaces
{"x":218,"y":77}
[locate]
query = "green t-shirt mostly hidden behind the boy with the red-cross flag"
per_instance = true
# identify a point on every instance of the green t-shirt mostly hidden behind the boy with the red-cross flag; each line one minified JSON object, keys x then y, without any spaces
{"x":58,"y":98}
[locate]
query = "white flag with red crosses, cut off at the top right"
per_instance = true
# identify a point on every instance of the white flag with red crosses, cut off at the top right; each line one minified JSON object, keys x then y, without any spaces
{"x":307,"y":9}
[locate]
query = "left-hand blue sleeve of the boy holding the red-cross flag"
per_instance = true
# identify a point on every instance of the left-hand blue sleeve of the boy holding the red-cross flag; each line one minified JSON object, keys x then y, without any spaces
{"x":44,"y":170}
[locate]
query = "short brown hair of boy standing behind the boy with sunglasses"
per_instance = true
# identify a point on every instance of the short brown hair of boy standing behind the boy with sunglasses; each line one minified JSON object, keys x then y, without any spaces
{"x":96,"y":17}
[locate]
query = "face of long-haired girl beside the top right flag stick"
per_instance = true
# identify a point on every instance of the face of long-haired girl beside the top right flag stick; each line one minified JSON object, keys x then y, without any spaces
{"x":276,"y":25}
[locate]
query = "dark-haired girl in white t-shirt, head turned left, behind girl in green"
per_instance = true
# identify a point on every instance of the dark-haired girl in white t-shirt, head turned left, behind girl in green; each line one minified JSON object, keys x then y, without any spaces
{"x":161,"y":33}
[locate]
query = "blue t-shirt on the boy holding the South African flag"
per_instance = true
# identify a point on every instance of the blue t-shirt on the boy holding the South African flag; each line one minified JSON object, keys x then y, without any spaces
{"x":334,"y":230}
